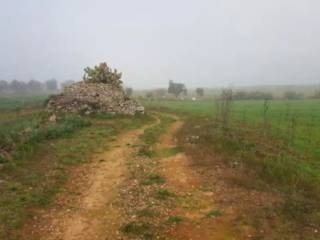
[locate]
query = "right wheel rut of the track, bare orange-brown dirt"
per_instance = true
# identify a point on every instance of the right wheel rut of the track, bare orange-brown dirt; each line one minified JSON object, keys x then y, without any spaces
{"x":195,"y":208}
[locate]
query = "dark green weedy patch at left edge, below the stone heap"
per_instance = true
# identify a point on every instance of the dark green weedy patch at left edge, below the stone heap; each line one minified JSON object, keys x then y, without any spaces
{"x":19,"y":137}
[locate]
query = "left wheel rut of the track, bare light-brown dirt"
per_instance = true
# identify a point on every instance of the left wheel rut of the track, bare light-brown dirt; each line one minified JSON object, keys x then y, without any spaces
{"x":88,"y":209}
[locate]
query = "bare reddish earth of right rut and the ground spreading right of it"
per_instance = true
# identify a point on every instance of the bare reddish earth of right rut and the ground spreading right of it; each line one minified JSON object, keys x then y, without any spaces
{"x":210,"y":207}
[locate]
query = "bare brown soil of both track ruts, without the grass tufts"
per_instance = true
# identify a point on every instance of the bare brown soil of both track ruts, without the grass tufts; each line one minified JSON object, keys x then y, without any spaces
{"x":94,"y":204}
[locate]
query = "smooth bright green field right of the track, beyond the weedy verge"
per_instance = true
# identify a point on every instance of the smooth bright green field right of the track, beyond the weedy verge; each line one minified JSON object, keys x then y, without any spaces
{"x":297,"y":122}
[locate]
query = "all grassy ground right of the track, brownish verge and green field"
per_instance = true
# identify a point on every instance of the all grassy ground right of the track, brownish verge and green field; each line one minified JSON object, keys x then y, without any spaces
{"x":278,"y":144}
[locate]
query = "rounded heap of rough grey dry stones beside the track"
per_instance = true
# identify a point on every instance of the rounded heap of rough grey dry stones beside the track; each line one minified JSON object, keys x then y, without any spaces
{"x":94,"y":97}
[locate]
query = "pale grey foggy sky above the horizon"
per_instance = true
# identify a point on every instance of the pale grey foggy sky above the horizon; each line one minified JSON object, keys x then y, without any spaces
{"x":201,"y":42}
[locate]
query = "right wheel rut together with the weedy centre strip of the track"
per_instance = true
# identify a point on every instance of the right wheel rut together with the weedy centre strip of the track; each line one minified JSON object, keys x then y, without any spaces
{"x":168,"y":198}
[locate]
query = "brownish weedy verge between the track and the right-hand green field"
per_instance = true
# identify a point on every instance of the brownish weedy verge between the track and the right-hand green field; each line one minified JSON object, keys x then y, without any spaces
{"x":273,"y":165}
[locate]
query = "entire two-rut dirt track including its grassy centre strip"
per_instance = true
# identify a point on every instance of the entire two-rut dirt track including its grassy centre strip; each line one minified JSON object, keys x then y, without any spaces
{"x":142,"y":187}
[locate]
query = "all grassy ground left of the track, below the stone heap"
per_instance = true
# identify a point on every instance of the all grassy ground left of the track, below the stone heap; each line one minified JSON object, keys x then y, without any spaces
{"x":36,"y":154}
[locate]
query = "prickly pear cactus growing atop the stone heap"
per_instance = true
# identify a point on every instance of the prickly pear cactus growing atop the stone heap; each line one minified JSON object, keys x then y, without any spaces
{"x":102,"y":73}
